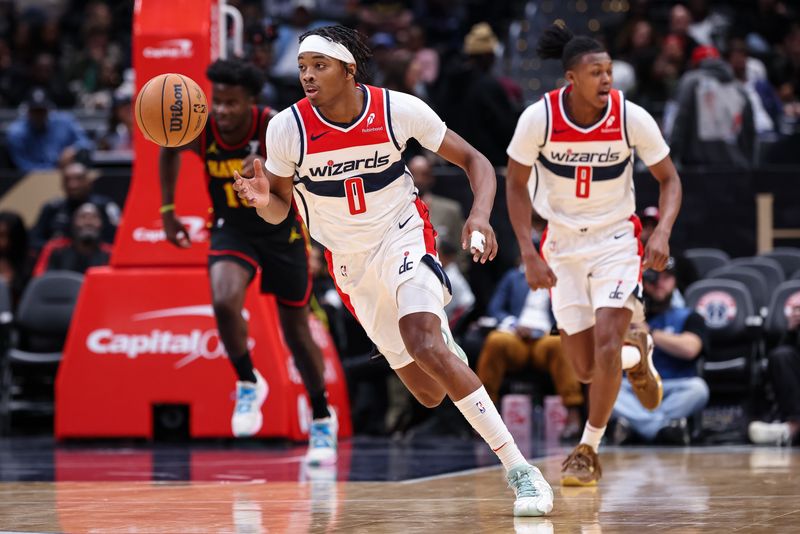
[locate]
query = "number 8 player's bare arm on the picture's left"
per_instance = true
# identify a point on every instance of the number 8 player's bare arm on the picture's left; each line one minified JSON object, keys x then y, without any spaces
{"x":520,"y":211}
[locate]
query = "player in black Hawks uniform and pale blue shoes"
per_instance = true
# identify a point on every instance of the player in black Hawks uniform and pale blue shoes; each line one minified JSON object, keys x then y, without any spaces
{"x":241,"y":242}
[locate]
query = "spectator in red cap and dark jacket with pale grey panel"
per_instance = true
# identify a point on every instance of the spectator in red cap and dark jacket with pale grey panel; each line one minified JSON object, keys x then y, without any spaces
{"x":713,"y":122}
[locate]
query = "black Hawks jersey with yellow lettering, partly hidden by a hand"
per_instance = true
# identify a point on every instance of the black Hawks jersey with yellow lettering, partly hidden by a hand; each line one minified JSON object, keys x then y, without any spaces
{"x":221,"y":160}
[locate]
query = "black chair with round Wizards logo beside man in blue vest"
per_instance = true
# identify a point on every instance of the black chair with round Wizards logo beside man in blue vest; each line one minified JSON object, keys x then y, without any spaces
{"x":732,"y":361}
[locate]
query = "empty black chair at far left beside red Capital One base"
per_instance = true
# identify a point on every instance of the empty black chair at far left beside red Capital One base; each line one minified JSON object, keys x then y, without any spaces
{"x":40,"y":328}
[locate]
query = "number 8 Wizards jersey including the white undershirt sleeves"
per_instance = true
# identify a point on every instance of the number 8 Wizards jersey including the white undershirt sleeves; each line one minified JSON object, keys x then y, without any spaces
{"x":583,"y":177}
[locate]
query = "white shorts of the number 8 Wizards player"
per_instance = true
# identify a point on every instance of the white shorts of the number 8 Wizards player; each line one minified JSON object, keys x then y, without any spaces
{"x":596,"y":268}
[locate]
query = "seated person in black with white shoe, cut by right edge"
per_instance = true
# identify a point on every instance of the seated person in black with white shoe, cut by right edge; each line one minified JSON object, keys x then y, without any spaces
{"x":784,"y":374}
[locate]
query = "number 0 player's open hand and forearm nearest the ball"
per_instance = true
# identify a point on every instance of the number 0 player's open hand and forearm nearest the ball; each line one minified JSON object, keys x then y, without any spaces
{"x":268,"y":193}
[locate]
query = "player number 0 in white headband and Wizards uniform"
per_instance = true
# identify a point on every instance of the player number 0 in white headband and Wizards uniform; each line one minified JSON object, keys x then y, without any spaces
{"x":338,"y":151}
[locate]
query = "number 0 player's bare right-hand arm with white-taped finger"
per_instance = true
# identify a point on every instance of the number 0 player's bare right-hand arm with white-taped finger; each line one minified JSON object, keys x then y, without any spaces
{"x":483,"y":183}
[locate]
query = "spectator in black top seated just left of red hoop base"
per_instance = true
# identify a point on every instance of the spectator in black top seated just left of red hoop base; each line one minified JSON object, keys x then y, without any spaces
{"x":80,"y":251}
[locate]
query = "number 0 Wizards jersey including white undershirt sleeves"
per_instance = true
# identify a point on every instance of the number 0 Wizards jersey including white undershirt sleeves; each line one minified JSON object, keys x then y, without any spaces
{"x":351,"y":183}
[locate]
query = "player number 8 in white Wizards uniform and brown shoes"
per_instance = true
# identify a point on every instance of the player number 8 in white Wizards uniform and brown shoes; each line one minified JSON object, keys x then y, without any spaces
{"x":578,"y":142}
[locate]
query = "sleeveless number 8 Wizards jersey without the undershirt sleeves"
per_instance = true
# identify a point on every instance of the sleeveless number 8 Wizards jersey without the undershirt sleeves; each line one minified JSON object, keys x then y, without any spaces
{"x":583,"y":177}
